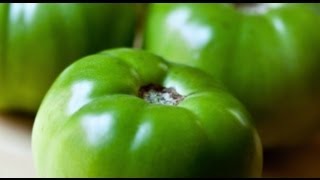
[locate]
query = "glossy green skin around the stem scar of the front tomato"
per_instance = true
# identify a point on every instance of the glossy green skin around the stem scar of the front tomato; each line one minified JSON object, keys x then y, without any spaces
{"x":93,"y":124}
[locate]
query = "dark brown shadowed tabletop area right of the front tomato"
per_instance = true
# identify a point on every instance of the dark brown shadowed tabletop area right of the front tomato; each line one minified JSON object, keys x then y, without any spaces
{"x":302,"y":161}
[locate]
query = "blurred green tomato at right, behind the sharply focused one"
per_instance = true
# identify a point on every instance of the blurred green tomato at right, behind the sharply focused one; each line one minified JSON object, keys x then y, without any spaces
{"x":269,"y":60}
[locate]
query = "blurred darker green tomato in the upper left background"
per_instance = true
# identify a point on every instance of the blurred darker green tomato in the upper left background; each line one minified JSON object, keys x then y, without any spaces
{"x":38,"y":40}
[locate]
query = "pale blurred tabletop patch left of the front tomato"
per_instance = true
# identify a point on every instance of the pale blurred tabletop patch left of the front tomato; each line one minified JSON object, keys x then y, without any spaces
{"x":15,"y":147}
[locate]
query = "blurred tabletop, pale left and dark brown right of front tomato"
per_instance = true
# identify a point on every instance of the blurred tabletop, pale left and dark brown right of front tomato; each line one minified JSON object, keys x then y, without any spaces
{"x":16,"y":156}
